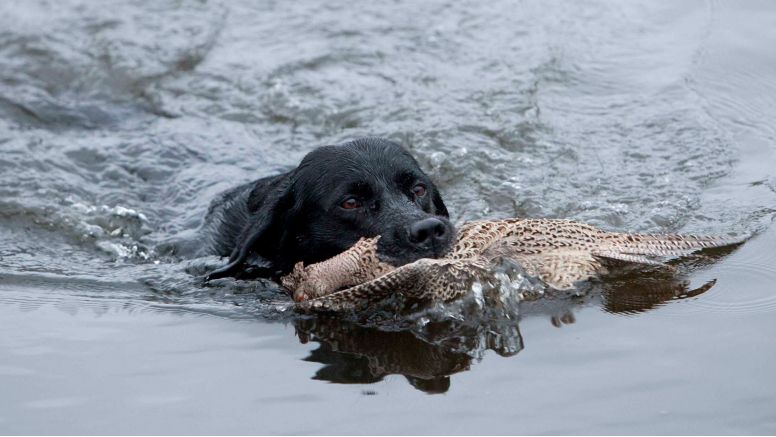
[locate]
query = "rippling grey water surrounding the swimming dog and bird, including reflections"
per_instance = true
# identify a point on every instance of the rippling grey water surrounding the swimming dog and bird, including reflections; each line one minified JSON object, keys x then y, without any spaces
{"x":119,"y":121}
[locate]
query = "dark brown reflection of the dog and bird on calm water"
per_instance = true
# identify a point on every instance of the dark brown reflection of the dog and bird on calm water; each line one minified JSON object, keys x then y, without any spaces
{"x":427,"y":355}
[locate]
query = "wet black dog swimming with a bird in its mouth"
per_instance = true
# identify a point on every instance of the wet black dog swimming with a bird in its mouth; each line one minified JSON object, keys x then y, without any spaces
{"x":335,"y":196}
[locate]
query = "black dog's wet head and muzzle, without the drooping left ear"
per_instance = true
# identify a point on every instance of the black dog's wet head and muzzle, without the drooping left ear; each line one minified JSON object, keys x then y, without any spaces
{"x":366,"y":188}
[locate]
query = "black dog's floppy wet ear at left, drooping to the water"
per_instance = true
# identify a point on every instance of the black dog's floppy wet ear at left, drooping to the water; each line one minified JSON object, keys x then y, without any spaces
{"x":268,"y":209}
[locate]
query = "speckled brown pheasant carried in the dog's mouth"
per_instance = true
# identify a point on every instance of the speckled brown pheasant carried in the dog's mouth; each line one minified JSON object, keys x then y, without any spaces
{"x":559,"y":252}
